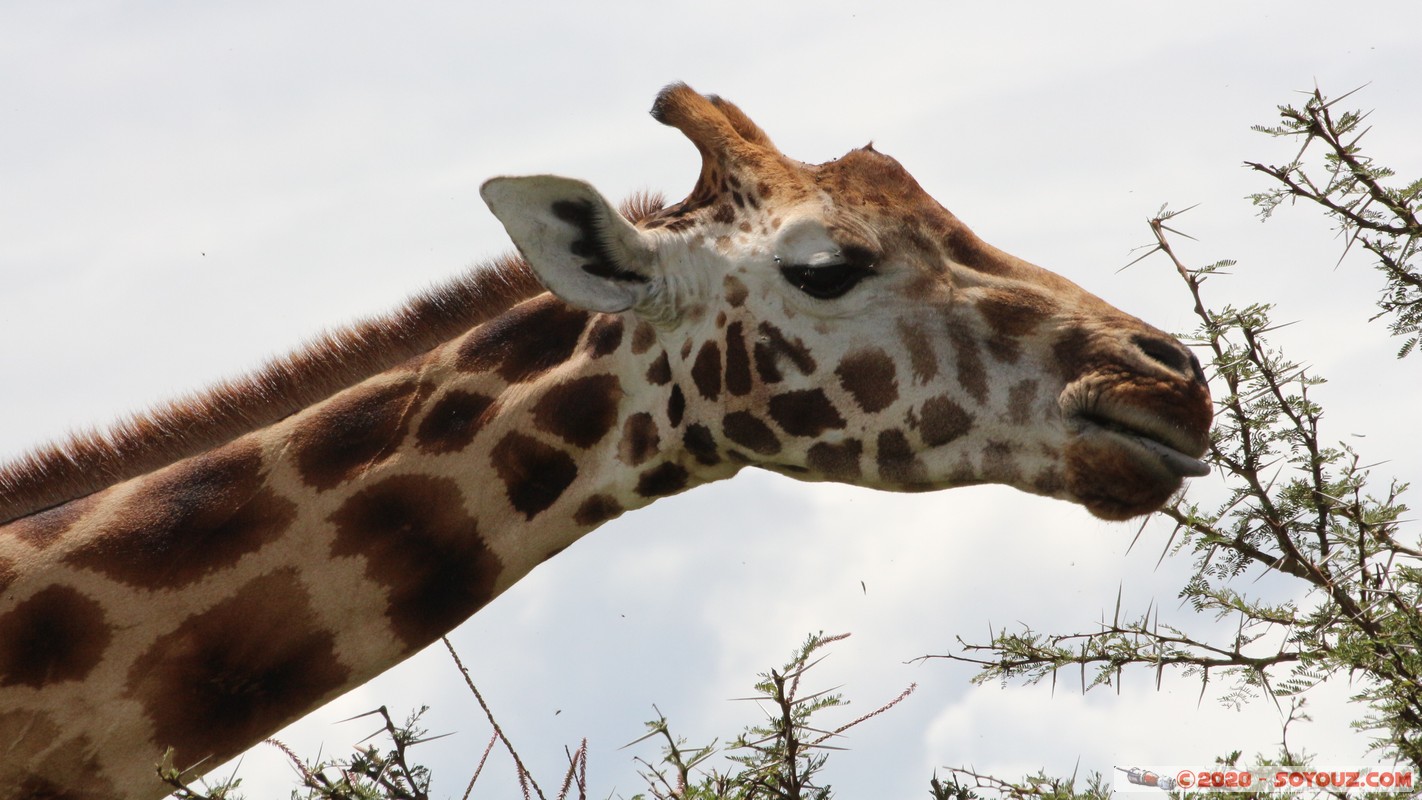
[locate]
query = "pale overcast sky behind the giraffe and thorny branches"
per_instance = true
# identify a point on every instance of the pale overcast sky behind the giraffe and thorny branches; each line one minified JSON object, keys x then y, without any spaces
{"x":187,"y":190}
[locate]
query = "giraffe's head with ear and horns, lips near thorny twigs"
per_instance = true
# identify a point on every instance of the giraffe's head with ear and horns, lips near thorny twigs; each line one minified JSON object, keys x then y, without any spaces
{"x":835,"y":323}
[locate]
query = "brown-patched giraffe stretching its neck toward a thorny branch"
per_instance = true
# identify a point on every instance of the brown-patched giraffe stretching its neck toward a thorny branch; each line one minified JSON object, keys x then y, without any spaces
{"x":211,"y":572}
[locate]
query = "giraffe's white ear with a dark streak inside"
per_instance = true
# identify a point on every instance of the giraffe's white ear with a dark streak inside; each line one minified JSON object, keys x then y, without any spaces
{"x":581,"y":248}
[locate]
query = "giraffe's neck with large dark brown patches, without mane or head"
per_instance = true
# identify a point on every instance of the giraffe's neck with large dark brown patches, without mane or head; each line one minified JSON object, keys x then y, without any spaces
{"x":210,"y":603}
